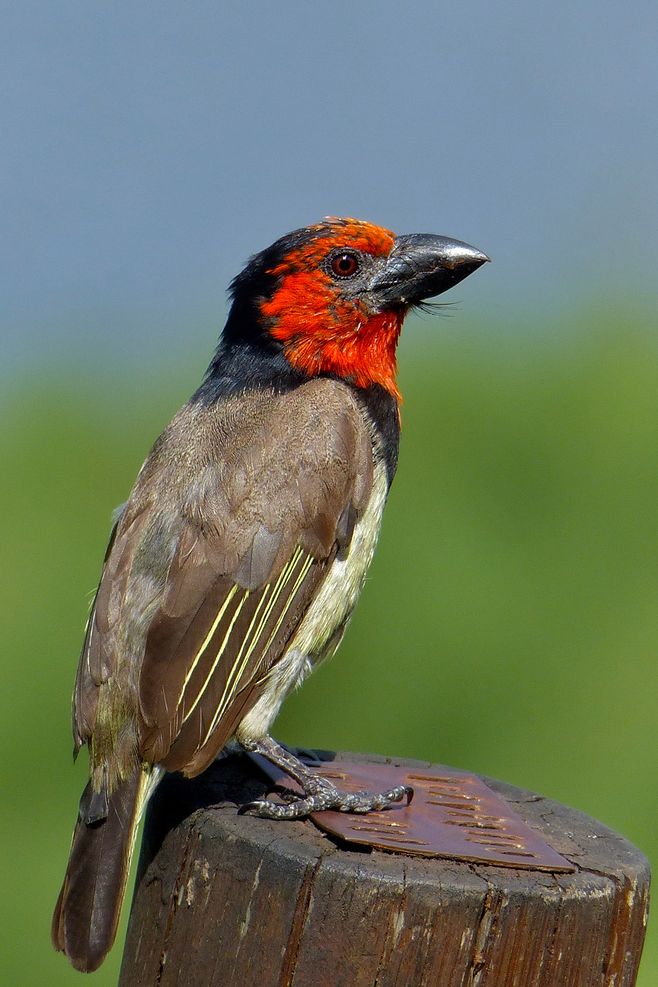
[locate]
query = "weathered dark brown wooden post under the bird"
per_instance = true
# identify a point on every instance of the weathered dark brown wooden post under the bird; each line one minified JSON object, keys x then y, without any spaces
{"x":226,"y":900}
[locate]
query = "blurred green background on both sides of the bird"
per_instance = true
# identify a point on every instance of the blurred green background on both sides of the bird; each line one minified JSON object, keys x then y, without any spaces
{"x":509,"y":624}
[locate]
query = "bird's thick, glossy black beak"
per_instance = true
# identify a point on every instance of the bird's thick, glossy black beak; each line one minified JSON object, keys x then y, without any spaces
{"x":422,"y":265}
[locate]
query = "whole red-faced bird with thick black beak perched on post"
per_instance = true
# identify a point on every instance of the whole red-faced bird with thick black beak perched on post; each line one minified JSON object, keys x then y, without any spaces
{"x":234,"y":566}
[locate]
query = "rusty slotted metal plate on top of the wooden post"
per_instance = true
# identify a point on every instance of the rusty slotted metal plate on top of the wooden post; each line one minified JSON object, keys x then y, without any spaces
{"x":453,"y":814}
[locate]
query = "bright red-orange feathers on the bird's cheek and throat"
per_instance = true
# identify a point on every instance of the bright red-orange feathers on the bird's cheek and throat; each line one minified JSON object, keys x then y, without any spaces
{"x":324,"y":333}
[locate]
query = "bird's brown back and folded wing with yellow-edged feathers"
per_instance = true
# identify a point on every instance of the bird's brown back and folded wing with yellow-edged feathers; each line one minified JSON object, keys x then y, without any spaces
{"x":248,"y":503}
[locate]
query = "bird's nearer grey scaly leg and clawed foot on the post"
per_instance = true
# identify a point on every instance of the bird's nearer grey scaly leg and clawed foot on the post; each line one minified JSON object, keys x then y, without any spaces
{"x":319,"y":795}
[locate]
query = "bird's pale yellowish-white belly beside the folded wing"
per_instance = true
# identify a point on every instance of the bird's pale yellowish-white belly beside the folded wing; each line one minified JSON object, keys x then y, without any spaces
{"x":320,"y":631}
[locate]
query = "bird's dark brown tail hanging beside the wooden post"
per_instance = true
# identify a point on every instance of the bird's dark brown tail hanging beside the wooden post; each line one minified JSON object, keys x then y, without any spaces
{"x":88,"y":908}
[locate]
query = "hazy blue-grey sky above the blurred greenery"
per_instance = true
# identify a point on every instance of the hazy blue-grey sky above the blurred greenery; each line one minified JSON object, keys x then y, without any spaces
{"x":148,"y":149}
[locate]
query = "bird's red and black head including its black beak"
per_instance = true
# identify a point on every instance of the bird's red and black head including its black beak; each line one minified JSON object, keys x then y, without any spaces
{"x":341,"y":292}
